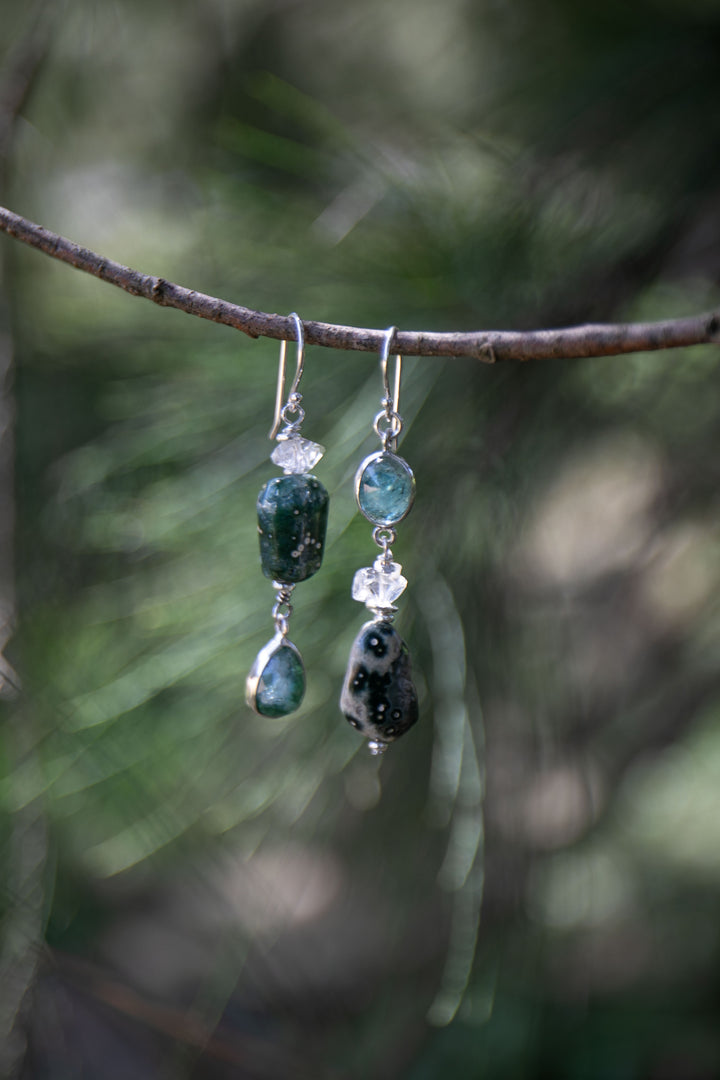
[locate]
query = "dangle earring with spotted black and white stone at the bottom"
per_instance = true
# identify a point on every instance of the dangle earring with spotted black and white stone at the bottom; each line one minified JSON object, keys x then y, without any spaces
{"x":378,"y":696}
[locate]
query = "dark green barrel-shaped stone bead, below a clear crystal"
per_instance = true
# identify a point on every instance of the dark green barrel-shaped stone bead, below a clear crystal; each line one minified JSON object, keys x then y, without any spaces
{"x":292,"y":523}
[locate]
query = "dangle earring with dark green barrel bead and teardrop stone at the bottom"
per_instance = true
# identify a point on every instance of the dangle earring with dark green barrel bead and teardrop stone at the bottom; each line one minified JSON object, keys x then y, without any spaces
{"x":292,"y":523}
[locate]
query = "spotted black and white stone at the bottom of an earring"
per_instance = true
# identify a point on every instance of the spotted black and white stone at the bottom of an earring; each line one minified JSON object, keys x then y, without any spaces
{"x":378,"y":696}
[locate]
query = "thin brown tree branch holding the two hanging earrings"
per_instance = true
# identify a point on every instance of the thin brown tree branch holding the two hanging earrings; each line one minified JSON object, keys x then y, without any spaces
{"x":490,"y":346}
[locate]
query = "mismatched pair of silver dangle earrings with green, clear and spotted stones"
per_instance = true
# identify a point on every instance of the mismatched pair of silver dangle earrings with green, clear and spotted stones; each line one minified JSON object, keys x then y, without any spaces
{"x":378,"y":696}
